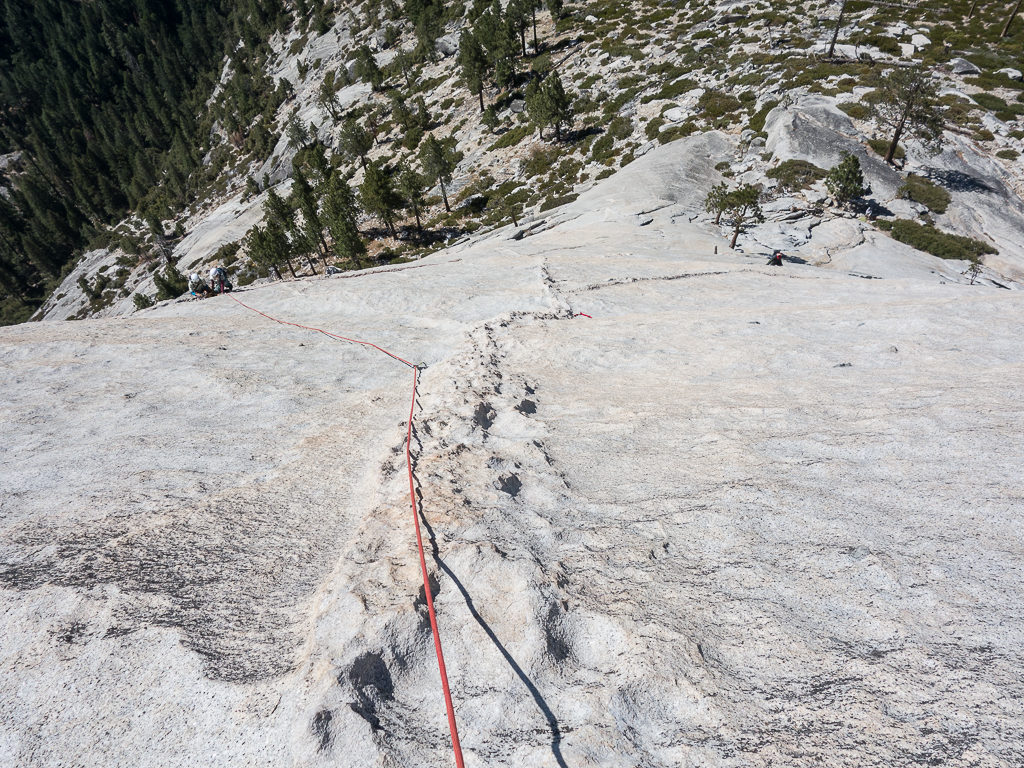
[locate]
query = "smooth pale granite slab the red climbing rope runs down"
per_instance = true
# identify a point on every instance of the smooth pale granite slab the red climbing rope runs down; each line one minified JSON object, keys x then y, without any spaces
{"x":741,"y":517}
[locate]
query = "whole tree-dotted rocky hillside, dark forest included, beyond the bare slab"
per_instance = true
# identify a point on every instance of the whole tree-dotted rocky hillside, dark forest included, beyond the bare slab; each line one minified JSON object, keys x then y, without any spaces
{"x":127,"y":124}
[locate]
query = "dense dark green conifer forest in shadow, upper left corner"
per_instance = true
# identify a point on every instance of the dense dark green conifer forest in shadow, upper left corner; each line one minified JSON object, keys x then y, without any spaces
{"x":104,"y":101}
